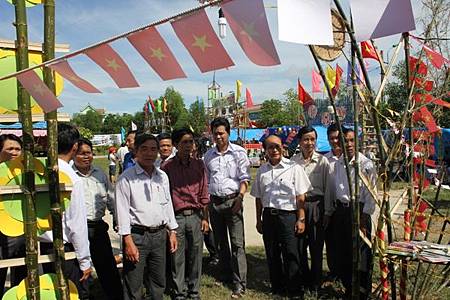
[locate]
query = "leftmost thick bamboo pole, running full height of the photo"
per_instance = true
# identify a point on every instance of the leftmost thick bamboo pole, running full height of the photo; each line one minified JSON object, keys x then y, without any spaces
{"x":24,"y":105}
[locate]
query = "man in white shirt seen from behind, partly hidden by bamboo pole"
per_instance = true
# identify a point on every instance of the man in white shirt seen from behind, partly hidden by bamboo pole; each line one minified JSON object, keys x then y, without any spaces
{"x":74,"y":222}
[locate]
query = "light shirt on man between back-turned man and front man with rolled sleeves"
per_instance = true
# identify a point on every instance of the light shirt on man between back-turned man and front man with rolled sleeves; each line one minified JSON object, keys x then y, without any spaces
{"x":98,"y":193}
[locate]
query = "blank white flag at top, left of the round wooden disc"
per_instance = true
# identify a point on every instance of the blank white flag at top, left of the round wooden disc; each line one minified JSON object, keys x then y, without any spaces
{"x":305,"y":22}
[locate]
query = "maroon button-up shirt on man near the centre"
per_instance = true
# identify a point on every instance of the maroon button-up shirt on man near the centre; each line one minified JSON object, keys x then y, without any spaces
{"x":188,"y":183}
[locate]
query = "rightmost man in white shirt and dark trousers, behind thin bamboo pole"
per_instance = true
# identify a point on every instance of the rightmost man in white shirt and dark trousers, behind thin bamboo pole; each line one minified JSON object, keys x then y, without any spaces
{"x":343,"y":215}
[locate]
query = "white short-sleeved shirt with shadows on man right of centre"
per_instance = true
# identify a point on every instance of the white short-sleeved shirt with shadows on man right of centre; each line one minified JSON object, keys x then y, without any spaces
{"x":277,"y":186}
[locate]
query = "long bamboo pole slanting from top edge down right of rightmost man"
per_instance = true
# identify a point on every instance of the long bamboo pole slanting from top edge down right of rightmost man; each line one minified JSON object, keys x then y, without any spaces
{"x":380,"y":140}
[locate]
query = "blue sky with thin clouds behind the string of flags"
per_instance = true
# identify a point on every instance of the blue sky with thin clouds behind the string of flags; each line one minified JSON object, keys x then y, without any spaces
{"x":81,"y":23}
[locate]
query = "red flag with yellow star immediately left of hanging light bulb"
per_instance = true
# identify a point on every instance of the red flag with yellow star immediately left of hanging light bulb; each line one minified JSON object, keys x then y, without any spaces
{"x":198,"y":36}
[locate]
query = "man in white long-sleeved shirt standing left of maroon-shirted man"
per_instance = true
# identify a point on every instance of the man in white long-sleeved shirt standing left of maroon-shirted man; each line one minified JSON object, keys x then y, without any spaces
{"x":145,"y":219}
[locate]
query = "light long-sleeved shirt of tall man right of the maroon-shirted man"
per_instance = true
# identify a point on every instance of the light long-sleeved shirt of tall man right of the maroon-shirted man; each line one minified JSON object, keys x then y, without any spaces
{"x":226,"y":170}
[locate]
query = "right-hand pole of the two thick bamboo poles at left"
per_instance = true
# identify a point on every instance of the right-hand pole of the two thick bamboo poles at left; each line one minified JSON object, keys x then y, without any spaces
{"x":52,"y":154}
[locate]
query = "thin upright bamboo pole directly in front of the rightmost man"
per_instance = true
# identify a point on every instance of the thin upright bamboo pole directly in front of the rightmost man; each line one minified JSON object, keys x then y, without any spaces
{"x":355,"y":204}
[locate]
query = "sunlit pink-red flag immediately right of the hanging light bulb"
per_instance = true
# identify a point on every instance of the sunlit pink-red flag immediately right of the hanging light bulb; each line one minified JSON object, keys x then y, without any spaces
{"x":248,"y":22}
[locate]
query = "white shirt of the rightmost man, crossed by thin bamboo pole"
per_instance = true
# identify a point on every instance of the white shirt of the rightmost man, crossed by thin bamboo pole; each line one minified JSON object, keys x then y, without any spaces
{"x":367,"y":169}
